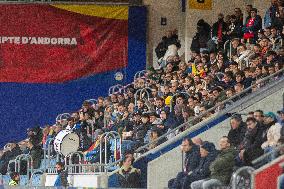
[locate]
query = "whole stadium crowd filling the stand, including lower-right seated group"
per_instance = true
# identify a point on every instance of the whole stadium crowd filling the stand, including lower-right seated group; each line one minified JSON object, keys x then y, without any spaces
{"x":179,"y":91}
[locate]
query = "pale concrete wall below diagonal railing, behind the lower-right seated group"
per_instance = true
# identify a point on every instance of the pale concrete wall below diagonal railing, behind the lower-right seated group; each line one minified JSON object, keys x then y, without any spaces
{"x":162,"y":169}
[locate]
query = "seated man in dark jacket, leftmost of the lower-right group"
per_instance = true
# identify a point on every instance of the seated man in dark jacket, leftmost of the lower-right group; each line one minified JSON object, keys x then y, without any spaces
{"x":192,"y":157}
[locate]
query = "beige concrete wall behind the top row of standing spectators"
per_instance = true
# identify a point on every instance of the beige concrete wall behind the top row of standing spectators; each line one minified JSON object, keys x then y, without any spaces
{"x":186,"y":22}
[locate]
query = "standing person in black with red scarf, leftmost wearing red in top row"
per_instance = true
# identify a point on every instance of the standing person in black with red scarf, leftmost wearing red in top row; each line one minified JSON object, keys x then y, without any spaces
{"x":219,"y":30}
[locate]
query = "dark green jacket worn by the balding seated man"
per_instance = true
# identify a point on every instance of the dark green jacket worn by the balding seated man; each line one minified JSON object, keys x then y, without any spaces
{"x":222,"y":168}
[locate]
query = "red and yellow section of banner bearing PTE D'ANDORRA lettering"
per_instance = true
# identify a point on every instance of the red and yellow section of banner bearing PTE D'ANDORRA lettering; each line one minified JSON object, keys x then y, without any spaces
{"x":45,"y":43}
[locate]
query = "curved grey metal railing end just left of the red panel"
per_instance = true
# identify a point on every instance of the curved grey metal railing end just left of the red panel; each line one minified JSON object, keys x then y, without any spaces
{"x":238,"y":176}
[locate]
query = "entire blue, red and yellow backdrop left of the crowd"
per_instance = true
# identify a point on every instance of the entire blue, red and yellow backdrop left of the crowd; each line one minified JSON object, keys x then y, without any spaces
{"x":53,"y":57}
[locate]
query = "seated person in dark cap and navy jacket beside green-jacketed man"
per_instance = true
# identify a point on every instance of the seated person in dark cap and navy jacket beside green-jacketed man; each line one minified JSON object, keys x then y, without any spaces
{"x":208,"y":154}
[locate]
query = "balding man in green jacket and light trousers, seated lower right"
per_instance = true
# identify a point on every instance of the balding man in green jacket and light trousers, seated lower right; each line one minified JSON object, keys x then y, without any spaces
{"x":221,"y":169}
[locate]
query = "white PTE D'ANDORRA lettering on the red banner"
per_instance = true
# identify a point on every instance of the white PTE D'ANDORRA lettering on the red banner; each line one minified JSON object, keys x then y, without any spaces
{"x":38,"y":40}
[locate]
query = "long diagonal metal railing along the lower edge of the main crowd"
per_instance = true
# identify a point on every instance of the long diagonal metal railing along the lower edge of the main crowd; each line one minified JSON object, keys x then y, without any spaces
{"x":223,"y":105}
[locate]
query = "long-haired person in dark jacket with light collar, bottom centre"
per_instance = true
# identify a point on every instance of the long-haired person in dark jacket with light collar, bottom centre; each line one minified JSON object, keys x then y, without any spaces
{"x":127,"y":175}
